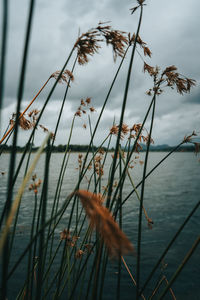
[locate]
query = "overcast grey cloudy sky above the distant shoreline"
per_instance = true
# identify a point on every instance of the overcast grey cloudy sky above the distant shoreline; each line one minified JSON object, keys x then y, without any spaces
{"x":170,"y":29}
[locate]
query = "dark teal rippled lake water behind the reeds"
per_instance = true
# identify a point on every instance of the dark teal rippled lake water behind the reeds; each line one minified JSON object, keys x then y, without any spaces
{"x":170,"y":194}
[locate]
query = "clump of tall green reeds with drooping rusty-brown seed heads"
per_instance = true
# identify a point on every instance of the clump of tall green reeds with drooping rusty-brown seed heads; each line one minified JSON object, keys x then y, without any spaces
{"x":72,"y":263}
